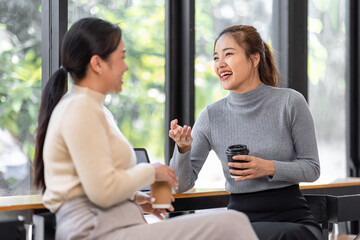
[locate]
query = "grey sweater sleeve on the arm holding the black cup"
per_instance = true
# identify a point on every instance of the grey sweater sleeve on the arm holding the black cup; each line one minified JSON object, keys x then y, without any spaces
{"x":306,"y":166}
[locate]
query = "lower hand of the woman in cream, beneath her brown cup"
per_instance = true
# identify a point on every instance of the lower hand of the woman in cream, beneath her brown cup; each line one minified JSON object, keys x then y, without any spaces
{"x":145,"y":201}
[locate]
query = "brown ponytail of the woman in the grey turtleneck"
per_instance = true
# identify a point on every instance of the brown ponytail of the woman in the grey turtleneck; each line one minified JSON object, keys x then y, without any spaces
{"x":268,"y":72}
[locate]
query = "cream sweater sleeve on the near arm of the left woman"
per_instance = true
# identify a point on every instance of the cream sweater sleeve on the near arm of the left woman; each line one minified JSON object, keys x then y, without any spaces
{"x":85,"y":135}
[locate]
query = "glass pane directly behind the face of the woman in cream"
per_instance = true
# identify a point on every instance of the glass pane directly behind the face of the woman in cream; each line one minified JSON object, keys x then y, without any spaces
{"x":140,"y":108}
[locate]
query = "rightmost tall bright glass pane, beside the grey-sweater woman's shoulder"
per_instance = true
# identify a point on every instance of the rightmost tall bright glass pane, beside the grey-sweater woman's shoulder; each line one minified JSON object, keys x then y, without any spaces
{"x":326,"y":71}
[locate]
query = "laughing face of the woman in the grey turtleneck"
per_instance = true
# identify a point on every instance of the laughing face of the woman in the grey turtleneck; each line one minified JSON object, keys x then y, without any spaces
{"x":235,"y":71}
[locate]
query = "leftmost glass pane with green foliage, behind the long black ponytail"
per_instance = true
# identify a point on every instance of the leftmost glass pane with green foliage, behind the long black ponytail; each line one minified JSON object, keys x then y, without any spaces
{"x":20,"y":92}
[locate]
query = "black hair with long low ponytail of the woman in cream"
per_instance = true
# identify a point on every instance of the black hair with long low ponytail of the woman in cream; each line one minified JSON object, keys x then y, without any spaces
{"x":86,"y":38}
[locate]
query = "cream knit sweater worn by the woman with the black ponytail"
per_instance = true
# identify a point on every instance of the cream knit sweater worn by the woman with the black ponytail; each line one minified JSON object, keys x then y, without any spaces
{"x":85,"y":153}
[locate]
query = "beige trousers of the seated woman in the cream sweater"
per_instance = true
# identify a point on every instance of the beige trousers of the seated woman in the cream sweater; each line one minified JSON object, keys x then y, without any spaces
{"x":80,"y":219}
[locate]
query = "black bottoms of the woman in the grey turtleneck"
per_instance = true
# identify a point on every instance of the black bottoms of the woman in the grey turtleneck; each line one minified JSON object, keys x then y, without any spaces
{"x":278,"y":214}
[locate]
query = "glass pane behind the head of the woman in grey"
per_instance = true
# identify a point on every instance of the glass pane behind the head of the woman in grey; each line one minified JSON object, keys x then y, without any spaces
{"x":211,"y":17}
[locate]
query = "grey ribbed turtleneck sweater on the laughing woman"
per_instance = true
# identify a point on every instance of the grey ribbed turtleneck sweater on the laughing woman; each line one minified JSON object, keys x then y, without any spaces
{"x":275,"y":124}
